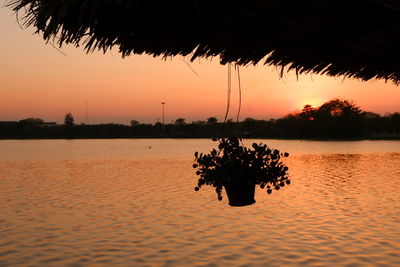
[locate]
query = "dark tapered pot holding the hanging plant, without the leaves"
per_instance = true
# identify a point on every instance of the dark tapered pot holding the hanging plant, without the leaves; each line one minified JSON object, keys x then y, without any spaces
{"x":240,"y":194}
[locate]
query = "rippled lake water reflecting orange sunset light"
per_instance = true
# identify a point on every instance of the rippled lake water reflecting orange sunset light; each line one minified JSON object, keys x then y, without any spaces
{"x":132,"y":203}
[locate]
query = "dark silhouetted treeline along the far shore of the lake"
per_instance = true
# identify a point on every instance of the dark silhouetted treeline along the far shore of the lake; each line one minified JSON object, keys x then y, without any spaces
{"x":335,"y":119}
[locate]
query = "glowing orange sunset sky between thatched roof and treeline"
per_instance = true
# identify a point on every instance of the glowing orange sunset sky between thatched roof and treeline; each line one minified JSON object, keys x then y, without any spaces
{"x":38,"y":80}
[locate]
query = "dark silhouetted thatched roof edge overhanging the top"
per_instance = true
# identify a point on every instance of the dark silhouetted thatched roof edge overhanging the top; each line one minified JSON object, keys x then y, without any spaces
{"x":354,"y":38}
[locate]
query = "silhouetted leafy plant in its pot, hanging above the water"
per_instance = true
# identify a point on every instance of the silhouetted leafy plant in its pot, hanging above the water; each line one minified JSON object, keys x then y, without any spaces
{"x":239,"y":169}
